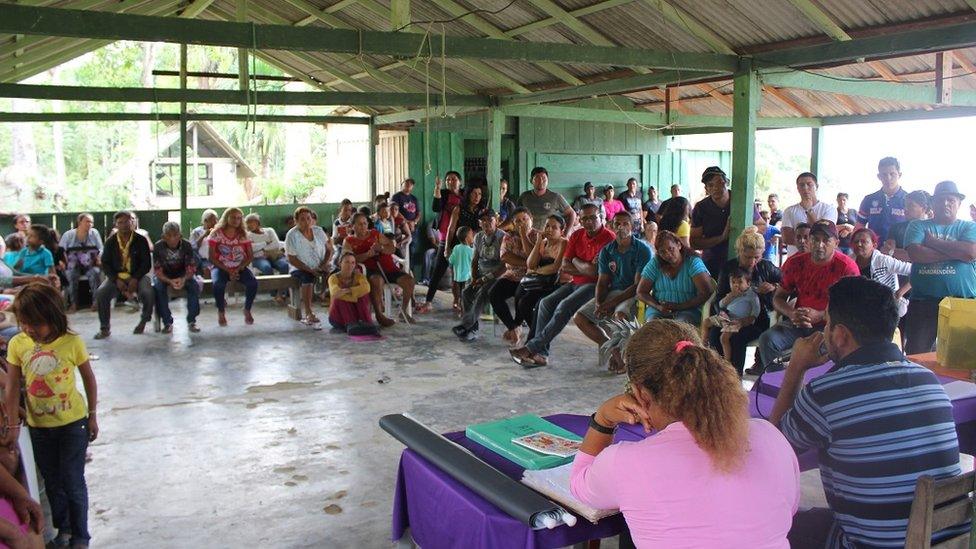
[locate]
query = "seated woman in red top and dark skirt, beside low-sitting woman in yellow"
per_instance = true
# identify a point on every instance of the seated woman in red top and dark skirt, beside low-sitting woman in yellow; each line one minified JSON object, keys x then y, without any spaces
{"x":375,"y":252}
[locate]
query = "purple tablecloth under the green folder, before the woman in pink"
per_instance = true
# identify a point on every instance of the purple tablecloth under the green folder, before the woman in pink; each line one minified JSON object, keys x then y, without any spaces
{"x":442,"y":512}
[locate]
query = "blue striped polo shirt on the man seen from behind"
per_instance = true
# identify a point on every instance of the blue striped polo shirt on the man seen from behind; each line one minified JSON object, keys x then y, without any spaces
{"x":879,"y":422}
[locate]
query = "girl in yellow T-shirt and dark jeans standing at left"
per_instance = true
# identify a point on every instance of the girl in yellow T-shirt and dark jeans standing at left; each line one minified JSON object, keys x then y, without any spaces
{"x":44,"y":358}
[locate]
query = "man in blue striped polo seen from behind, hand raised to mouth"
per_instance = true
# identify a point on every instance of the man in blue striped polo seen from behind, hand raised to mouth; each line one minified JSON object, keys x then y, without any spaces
{"x":878,"y":421}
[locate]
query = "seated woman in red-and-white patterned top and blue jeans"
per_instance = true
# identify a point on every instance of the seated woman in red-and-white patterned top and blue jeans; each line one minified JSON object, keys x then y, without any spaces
{"x":230,"y":253}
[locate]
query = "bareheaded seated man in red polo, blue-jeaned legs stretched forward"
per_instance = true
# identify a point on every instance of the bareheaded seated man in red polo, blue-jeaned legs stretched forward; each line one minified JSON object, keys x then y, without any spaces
{"x":558,"y":308}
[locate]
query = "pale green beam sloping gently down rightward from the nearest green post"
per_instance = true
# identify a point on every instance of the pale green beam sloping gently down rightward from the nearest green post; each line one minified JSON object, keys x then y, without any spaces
{"x":889,"y":91}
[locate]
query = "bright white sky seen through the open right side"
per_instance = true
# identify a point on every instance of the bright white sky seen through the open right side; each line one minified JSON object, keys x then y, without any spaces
{"x":929,"y":151}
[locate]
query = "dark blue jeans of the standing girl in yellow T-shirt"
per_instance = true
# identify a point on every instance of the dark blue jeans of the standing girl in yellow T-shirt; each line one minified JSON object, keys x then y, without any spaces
{"x":60,"y":456}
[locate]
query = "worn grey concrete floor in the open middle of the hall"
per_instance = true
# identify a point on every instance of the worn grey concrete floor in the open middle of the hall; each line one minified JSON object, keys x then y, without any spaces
{"x":267,"y":435}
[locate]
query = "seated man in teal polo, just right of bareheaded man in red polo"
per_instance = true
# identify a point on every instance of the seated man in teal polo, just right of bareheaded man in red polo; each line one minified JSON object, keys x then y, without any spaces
{"x":618,"y":266}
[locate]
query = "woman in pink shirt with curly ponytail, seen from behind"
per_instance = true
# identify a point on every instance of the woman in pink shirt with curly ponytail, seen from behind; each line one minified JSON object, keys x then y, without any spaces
{"x":710,"y":476}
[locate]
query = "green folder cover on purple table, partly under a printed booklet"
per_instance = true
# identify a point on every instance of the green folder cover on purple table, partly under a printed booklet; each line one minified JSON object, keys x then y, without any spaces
{"x":497,"y":436}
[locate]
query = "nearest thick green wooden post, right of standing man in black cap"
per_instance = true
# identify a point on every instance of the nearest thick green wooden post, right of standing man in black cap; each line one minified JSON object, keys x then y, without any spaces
{"x":745,"y":108}
